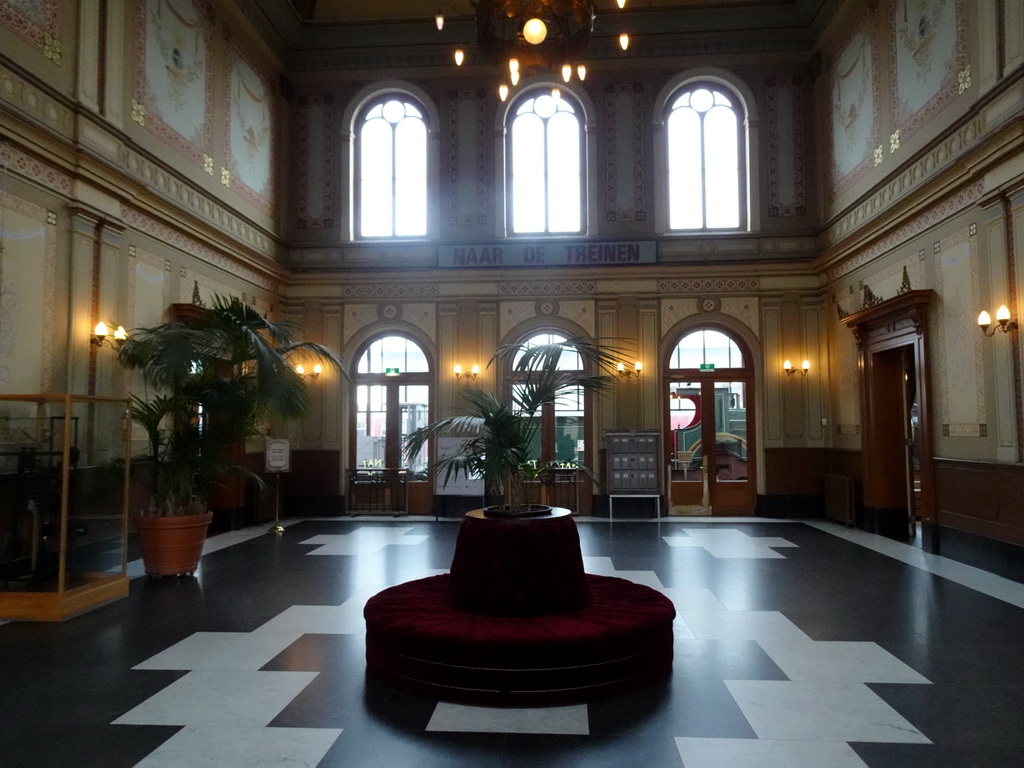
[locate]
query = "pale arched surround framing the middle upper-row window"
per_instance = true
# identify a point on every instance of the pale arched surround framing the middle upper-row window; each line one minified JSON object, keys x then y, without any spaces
{"x":586,"y":114}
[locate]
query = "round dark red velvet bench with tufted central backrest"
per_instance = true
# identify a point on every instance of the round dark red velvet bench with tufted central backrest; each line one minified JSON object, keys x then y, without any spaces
{"x":418,"y":641}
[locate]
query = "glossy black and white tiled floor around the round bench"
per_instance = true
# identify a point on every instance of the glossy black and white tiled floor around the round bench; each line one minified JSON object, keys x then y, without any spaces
{"x":798,"y":646}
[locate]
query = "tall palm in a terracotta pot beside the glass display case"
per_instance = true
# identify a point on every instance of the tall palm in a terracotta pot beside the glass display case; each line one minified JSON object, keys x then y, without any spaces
{"x":215,"y":378}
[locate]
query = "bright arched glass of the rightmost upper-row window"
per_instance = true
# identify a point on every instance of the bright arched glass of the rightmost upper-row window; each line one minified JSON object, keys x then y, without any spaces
{"x":704,"y":132}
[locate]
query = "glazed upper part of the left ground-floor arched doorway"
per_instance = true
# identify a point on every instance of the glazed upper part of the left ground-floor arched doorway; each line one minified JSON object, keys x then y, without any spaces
{"x":393,"y":398}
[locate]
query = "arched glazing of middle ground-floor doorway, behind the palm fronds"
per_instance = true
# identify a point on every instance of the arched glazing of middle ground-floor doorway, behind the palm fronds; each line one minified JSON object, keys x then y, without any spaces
{"x":561,"y":434}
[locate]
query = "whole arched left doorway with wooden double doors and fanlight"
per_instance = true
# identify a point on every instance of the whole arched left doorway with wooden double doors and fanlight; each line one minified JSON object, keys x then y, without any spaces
{"x":392,"y":383}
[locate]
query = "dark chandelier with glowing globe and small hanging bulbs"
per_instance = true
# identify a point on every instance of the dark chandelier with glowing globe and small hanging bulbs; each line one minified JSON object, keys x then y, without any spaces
{"x":527,"y":36}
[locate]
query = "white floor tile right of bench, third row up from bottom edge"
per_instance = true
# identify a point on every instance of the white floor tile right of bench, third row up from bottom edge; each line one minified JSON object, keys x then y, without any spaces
{"x":840,"y":662}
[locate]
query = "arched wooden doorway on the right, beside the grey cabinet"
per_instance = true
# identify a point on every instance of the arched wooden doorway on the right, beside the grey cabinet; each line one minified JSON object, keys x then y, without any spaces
{"x":709,"y":417}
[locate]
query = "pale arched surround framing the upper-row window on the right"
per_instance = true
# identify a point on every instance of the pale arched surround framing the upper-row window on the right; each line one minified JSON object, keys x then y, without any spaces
{"x":746,"y":108}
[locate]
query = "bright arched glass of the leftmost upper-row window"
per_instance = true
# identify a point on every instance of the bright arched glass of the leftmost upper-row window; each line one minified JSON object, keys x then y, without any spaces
{"x":392,"y":141}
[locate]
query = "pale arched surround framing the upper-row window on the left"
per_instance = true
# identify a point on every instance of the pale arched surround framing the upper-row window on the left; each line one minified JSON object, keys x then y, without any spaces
{"x":353,"y":118}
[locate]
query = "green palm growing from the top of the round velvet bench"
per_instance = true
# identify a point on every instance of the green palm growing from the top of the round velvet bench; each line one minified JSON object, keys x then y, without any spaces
{"x":502,"y":433}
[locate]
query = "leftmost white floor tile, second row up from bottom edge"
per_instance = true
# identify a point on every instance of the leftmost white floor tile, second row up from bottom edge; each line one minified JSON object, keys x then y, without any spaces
{"x":231,"y":698}
